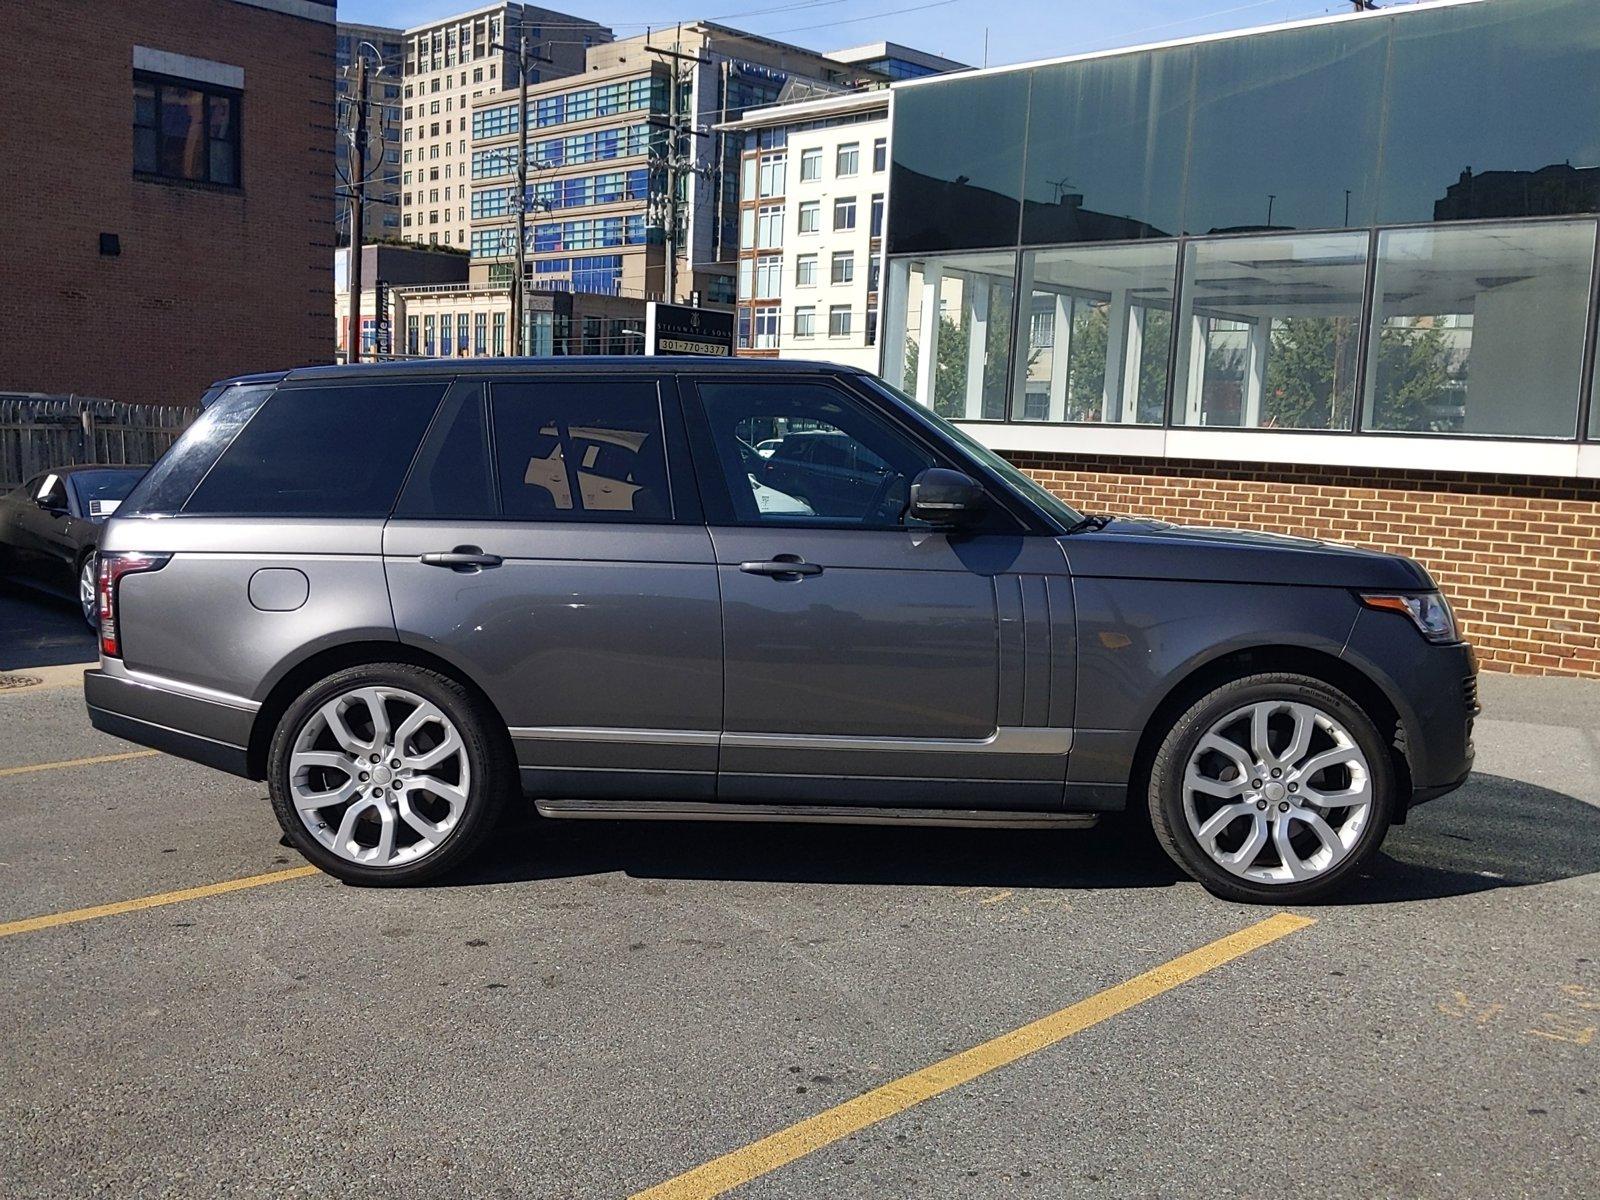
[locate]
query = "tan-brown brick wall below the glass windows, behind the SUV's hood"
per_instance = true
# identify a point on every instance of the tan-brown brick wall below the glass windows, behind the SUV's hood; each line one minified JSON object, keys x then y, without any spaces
{"x":1518,"y":556}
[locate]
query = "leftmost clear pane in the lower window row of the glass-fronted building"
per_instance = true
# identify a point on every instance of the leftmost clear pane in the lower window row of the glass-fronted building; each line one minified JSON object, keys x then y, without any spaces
{"x":958,"y":334}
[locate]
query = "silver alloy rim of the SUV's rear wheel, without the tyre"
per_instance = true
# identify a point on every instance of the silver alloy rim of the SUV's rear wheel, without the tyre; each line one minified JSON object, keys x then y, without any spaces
{"x":380,"y":777}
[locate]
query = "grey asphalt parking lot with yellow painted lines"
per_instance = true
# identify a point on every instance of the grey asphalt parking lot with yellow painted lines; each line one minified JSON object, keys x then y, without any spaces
{"x":607,"y":1010}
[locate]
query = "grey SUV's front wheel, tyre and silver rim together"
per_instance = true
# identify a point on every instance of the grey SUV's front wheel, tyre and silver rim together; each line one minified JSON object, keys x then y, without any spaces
{"x":1273,"y":790}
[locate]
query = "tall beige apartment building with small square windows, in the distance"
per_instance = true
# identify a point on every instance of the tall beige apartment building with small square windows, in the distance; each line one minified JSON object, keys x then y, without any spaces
{"x":452,"y":63}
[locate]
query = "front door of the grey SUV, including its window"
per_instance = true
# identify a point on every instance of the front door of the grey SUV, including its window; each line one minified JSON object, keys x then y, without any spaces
{"x":868,"y":660}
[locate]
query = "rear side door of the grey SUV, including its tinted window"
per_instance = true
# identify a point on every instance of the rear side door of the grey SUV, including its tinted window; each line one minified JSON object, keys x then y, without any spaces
{"x":551,"y":543}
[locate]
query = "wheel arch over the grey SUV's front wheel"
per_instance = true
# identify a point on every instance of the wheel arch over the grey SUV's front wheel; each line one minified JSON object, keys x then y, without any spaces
{"x":1270,"y":658}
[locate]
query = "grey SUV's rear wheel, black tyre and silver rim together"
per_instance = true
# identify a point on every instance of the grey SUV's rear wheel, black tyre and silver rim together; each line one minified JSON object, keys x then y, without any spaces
{"x":388,"y":775}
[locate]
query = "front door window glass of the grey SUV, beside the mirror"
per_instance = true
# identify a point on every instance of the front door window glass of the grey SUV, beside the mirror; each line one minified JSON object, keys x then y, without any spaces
{"x":826,"y":460}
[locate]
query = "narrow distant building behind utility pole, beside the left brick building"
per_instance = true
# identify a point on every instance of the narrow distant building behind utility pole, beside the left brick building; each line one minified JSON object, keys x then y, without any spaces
{"x":385,"y":55}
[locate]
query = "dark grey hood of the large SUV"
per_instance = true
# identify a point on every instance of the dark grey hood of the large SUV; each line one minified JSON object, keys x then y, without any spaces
{"x":1146,"y":550}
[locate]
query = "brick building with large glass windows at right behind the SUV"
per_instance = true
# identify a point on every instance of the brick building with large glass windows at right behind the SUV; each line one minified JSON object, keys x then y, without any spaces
{"x":1337,"y":279}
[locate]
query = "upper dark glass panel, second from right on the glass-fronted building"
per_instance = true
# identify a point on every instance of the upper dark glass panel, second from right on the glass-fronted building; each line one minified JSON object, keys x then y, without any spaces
{"x":1287,"y":129}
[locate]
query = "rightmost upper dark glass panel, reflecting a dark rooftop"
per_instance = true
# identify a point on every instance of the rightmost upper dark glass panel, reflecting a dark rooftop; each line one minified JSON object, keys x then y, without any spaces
{"x":1492,"y":113}
